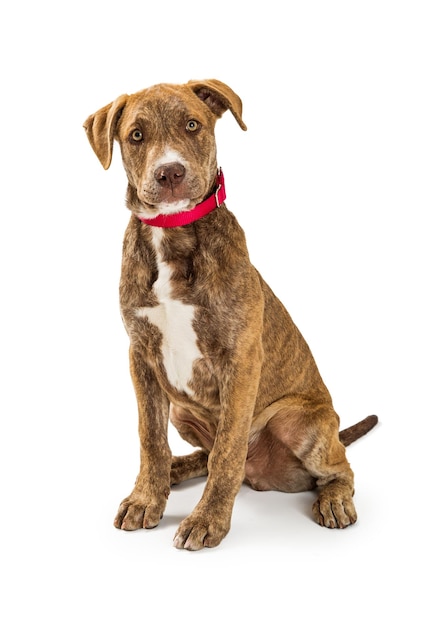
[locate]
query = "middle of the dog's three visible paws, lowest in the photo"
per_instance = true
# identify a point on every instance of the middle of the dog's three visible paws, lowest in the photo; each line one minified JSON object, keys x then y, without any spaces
{"x":196,"y":532}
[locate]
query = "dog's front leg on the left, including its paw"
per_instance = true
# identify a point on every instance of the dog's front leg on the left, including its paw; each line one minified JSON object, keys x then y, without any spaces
{"x":145,"y":506}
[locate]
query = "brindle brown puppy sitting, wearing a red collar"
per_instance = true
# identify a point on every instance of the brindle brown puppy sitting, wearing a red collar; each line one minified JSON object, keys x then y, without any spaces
{"x":211,"y":347}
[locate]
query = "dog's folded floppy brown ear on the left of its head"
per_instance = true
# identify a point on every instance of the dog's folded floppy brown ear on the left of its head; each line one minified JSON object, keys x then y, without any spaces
{"x":100,"y":128}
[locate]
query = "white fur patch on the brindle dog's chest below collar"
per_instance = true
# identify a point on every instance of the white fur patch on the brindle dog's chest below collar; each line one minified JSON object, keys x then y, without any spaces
{"x":174,"y":320}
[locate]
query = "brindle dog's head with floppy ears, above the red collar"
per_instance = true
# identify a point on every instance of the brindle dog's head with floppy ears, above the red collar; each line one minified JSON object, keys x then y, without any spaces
{"x":166,"y":136}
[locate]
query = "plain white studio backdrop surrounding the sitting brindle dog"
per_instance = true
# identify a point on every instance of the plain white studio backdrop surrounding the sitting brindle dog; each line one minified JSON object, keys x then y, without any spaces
{"x":340,"y":185}
